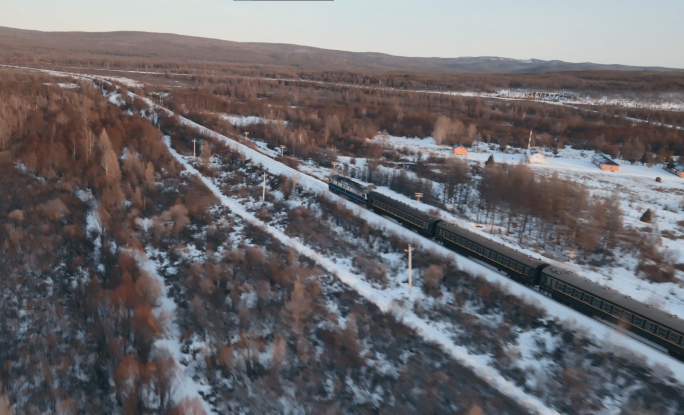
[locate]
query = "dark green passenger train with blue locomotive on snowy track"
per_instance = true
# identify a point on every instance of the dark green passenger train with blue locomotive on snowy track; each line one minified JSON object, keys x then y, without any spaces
{"x":651,"y":325}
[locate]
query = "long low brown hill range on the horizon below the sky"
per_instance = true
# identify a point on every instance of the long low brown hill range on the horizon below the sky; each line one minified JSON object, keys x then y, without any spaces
{"x":165,"y":46}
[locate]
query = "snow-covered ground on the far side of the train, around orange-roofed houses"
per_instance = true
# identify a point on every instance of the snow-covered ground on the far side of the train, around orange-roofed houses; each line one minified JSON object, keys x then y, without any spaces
{"x":636,"y":189}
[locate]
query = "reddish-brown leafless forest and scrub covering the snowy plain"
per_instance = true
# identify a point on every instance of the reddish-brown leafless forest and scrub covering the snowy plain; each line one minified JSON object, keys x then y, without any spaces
{"x":101,"y":227}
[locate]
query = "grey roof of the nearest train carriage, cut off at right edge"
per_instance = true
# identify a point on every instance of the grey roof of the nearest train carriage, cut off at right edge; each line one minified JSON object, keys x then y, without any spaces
{"x":650,"y":312}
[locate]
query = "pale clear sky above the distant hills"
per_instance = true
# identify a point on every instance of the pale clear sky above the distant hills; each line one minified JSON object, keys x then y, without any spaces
{"x":630,"y":32}
